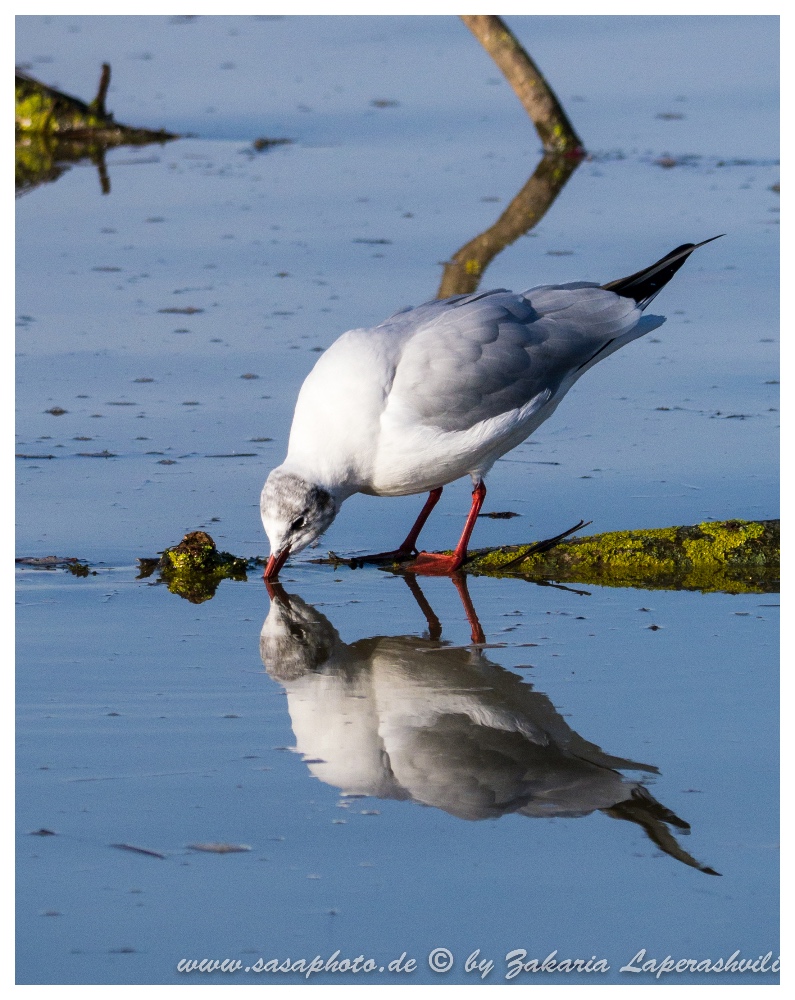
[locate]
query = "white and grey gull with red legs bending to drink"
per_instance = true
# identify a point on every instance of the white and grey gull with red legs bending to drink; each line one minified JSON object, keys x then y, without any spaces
{"x":442,"y":391}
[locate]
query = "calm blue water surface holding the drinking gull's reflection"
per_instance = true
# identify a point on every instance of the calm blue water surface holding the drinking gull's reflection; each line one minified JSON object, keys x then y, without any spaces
{"x":149,"y":721}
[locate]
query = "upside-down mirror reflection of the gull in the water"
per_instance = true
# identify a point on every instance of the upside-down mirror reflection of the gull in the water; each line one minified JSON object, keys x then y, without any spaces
{"x":404,"y":717}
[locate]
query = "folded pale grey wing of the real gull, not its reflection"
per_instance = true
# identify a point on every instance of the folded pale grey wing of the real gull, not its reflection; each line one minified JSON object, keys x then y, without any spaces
{"x":474,"y":357}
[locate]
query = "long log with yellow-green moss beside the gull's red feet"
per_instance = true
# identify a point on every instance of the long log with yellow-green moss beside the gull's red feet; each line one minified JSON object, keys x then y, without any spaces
{"x":727,"y":556}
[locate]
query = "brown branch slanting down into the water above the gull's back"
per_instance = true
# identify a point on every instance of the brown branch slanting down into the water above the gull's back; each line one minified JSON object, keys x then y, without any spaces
{"x":528,"y":83}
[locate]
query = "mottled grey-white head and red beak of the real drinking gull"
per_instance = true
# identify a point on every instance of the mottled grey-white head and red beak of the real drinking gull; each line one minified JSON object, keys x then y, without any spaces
{"x":294,"y":513}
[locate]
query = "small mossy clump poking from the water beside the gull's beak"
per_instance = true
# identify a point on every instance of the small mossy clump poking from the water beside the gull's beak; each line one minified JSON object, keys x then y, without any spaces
{"x":194,"y":568}
